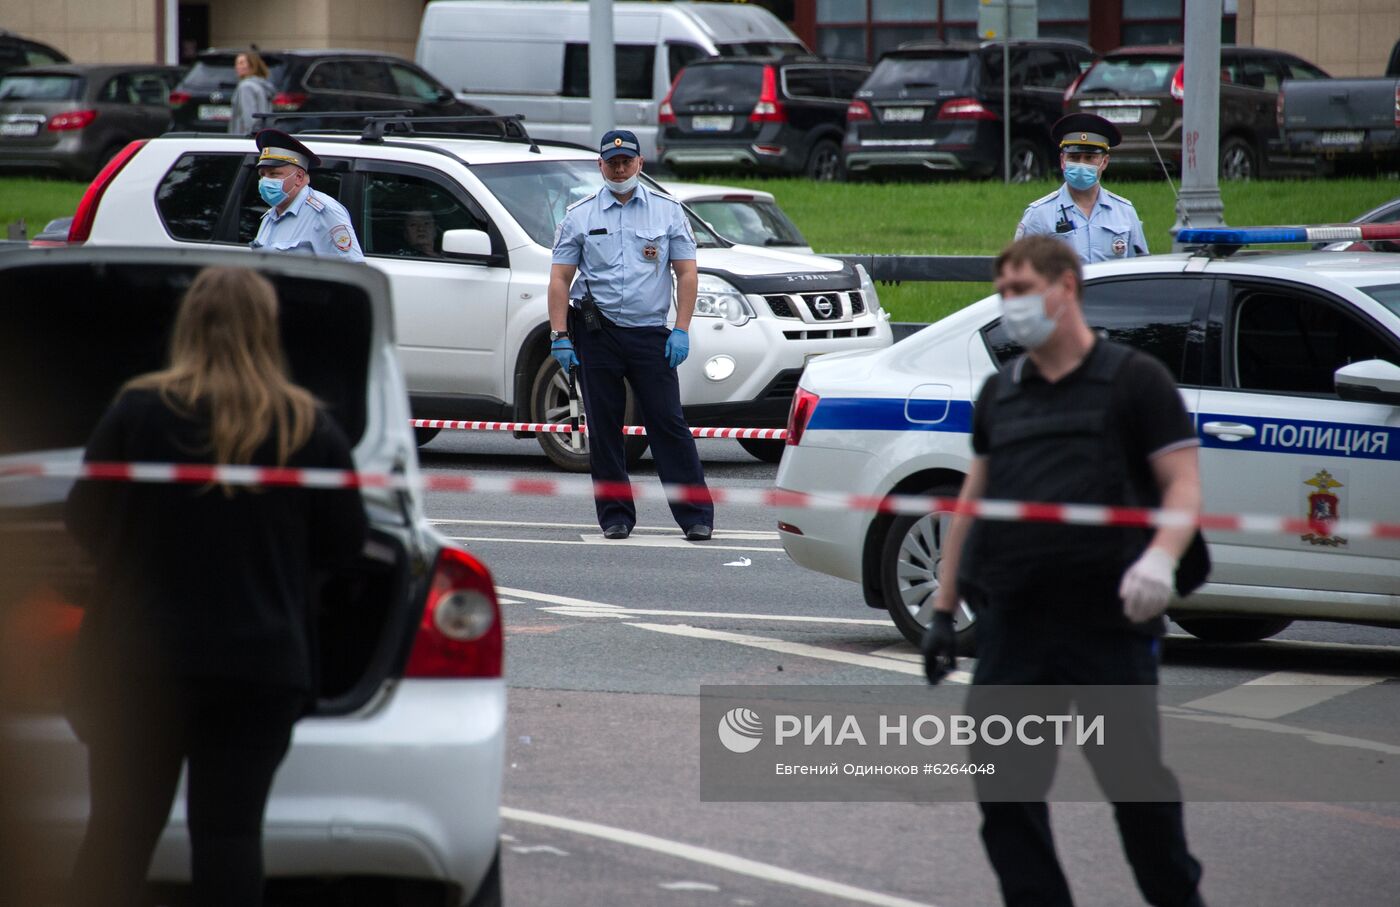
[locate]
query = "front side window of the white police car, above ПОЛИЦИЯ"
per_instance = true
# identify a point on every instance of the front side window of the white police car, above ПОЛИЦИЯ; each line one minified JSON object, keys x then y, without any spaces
{"x":1290,"y":342}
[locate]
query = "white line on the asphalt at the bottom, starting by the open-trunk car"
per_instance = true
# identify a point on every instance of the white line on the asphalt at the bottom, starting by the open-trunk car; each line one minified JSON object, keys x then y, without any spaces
{"x":738,"y":866}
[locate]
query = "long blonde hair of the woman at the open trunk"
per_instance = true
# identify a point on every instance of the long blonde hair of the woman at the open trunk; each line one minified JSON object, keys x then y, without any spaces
{"x":226,"y":362}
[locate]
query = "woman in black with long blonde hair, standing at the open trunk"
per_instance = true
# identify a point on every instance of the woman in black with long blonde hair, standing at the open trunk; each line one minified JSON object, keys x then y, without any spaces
{"x":197,"y":646}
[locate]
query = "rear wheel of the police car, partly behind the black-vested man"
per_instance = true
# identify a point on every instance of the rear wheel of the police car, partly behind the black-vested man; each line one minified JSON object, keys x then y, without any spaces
{"x":909,"y":575}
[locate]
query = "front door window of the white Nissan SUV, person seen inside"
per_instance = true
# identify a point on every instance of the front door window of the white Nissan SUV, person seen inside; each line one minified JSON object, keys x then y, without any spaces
{"x":405,"y":216}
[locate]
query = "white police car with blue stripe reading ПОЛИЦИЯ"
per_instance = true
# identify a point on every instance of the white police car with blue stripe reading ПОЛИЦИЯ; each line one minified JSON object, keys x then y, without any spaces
{"x":1289,"y":363}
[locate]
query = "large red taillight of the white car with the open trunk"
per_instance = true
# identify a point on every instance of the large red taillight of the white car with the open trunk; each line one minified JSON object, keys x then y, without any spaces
{"x":461,"y":633}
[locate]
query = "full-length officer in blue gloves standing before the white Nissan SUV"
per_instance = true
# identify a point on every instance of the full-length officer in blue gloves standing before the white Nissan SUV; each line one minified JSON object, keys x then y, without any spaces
{"x":622,"y":243}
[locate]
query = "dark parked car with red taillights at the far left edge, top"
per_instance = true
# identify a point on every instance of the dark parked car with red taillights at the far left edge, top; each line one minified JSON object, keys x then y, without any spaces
{"x":73,"y":118}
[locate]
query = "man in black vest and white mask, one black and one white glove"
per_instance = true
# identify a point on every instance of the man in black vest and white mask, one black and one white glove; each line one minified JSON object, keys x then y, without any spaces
{"x":1077,"y":419}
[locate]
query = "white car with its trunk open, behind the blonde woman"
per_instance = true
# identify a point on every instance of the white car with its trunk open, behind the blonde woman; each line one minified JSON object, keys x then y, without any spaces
{"x":391,"y":790}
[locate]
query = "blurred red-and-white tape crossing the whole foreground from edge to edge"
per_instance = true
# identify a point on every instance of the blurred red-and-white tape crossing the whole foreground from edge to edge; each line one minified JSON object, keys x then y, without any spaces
{"x":1065,"y":514}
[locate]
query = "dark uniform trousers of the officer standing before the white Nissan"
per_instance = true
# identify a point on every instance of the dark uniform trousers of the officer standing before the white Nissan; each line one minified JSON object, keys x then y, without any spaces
{"x":639,"y":355}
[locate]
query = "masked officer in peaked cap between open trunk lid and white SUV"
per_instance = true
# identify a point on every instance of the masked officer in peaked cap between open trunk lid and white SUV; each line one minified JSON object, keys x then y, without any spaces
{"x":300,"y":218}
